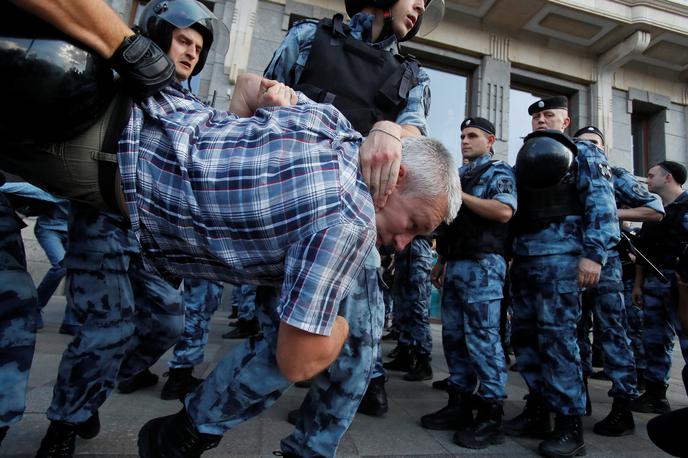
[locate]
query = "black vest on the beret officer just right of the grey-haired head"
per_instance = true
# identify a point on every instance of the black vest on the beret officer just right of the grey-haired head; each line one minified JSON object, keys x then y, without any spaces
{"x":470,"y":235}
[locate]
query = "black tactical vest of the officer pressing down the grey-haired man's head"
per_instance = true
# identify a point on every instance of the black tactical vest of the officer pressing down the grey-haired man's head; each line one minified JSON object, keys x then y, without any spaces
{"x":366,"y":84}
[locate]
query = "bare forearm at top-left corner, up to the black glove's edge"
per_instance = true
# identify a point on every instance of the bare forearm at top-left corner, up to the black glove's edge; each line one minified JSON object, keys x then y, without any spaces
{"x":91,"y":22}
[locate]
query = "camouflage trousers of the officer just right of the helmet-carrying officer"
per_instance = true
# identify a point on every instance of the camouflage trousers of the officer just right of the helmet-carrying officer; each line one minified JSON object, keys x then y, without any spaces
{"x":606,"y":302}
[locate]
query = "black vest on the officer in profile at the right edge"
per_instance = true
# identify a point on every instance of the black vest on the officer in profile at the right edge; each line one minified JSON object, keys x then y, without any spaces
{"x":664,"y":241}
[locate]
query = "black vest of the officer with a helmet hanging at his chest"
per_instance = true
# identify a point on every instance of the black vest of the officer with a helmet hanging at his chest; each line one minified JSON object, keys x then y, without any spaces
{"x":537,"y":208}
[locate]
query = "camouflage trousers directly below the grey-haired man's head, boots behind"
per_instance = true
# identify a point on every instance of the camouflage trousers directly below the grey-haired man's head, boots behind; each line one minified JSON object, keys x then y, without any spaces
{"x":411,"y":295}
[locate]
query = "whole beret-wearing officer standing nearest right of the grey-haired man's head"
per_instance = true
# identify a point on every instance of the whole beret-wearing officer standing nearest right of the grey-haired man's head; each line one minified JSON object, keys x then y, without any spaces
{"x":471,"y":271}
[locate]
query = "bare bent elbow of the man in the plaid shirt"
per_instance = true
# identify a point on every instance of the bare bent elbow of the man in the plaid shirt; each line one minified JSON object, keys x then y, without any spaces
{"x":302,"y":355}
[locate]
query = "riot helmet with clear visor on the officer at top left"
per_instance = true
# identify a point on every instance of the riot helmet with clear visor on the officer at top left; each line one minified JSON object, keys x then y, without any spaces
{"x":160,"y":18}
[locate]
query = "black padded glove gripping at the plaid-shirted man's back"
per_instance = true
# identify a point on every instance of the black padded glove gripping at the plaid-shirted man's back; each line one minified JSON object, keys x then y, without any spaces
{"x":142,"y":65}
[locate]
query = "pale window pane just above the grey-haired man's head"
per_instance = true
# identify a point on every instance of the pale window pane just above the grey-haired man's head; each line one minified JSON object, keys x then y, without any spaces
{"x":447,"y":108}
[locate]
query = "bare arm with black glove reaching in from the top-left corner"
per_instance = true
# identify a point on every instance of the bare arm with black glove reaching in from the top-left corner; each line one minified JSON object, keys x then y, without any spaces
{"x":143,"y":66}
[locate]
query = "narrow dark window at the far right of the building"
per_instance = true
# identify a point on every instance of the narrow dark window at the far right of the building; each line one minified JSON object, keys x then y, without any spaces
{"x":647,"y":130}
